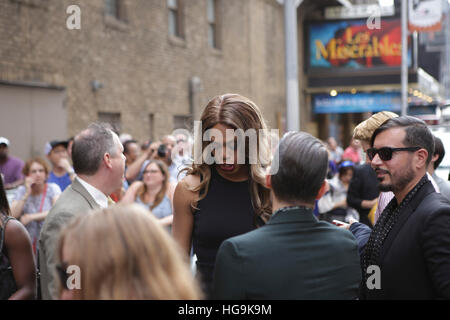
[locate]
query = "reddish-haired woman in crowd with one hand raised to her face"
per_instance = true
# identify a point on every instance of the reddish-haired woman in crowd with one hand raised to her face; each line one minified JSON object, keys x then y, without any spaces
{"x":35,"y":198}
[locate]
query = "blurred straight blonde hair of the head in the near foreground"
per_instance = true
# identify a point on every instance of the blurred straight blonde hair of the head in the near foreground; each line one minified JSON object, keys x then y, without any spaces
{"x":123,"y":253}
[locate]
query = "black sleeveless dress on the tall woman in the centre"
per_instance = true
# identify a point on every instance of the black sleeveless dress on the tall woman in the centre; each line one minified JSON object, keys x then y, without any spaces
{"x":225,"y":212}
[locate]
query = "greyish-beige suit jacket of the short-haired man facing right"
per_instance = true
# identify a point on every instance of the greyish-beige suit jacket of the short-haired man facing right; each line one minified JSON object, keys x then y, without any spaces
{"x":73,"y":201}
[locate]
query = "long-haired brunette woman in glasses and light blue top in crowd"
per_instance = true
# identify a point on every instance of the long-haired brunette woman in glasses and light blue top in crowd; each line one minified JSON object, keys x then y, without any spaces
{"x":155,"y":191}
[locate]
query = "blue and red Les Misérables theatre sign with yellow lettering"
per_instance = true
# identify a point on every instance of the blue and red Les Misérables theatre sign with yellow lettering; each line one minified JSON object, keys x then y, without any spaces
{"x":351,"y":44}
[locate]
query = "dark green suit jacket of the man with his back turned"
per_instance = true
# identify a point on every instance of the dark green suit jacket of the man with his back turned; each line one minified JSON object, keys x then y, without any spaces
{"x":294,"y":256}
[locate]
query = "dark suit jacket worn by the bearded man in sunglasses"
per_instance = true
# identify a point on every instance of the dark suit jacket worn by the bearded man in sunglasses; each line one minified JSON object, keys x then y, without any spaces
{"x":415,"y":257}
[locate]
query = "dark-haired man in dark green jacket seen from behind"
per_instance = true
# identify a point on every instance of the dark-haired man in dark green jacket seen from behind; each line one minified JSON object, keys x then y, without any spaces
{"x":294,"y":256}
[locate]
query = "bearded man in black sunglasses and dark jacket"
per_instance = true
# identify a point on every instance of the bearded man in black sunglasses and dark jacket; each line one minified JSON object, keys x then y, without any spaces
{"x":410,"y":243}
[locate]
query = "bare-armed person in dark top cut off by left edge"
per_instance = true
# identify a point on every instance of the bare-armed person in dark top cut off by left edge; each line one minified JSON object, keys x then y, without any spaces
{"x":17,"y":268}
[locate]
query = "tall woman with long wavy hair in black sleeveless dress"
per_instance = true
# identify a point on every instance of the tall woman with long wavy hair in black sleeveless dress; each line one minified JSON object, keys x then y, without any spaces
{"x":226,"y":198}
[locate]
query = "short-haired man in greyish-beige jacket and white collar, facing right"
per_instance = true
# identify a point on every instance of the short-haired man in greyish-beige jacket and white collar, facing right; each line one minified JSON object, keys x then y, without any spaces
{"x":99,"y":163}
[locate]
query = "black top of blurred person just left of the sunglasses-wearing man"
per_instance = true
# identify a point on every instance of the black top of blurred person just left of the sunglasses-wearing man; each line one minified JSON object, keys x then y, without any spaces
{"x":363,"y":186}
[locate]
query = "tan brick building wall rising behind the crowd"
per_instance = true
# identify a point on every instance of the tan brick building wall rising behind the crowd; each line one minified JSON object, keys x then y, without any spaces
{"x":143,"y":70}
